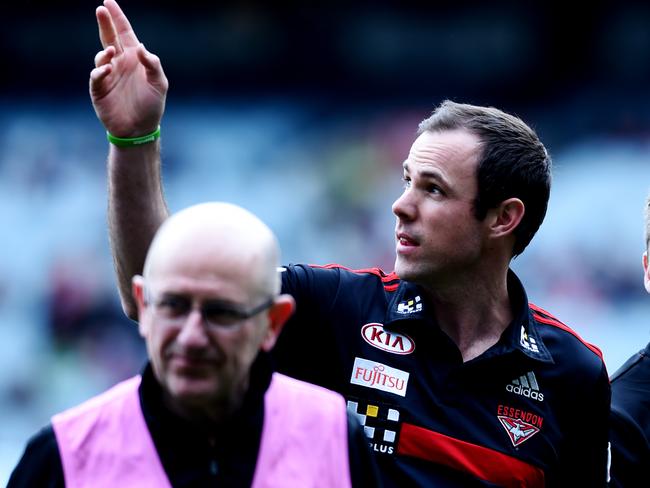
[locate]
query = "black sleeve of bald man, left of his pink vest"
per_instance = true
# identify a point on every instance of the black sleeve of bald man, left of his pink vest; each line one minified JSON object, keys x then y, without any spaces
{"x":40,"y":466}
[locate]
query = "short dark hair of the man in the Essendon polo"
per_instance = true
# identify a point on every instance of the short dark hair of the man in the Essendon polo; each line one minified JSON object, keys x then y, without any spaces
{"x":513,"y":162}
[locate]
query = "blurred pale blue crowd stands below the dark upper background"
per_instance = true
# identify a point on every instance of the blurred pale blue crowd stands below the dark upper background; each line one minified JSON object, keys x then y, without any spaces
{"x":322,"y":177}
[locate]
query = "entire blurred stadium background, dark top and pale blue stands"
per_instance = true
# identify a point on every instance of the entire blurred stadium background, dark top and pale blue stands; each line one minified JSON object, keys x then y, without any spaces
{"x":303,"y":114}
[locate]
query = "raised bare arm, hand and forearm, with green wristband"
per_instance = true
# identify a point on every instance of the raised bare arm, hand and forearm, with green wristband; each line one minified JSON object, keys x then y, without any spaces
{"x":128,"y":89}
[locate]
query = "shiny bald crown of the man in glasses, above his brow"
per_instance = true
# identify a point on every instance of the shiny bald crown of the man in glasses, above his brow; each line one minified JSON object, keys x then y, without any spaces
{"x":217,"y":238}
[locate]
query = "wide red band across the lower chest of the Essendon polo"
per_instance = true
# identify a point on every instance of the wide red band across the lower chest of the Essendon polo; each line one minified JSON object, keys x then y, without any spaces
{"x":481,"y":462}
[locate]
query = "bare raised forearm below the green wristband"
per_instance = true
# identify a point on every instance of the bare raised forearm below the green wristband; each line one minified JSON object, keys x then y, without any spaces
{"x":136,"y":208}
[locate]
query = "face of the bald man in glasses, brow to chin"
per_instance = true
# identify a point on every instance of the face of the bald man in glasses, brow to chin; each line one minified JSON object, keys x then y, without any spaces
{"x":196,"y":362}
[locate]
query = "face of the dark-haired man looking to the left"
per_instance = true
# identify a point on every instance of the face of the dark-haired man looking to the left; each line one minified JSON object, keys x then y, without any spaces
{"x":437,"y":234}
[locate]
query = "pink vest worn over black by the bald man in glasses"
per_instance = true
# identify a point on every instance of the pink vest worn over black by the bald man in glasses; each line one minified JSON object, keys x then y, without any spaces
{"x":104,"y":442}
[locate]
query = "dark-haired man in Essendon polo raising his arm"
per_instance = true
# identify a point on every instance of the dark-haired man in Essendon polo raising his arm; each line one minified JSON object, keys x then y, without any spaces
{"x":457,"y":379}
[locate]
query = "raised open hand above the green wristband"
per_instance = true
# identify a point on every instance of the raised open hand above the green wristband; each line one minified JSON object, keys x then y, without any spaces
{"x":128,"y":86}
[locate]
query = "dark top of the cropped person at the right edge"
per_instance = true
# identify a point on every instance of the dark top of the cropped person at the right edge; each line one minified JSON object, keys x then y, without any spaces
{"x":630,"y":421}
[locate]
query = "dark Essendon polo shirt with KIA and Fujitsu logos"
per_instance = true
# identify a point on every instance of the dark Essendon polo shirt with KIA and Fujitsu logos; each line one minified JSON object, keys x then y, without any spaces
{"x":373,"y":338}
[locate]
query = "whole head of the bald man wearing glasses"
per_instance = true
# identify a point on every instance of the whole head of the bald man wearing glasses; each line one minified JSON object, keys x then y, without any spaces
{"x":221,"y":261}
